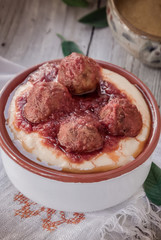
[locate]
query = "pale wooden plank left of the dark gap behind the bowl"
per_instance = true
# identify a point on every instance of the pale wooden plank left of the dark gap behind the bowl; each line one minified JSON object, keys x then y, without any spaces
{"x":30,"y":30}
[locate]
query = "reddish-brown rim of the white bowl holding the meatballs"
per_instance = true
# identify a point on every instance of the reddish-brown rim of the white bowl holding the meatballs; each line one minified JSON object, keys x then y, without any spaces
{"x":8,"y":146}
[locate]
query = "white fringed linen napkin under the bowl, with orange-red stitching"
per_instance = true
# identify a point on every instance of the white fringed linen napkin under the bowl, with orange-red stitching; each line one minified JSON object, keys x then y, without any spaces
{"x":20,"y":218}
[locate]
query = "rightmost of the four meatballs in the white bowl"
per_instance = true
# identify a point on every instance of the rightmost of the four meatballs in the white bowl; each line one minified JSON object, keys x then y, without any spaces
{"x":121,"y":118}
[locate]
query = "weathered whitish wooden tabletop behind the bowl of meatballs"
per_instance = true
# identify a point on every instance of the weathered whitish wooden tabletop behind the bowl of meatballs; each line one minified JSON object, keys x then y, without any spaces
{"x":28,"y":36}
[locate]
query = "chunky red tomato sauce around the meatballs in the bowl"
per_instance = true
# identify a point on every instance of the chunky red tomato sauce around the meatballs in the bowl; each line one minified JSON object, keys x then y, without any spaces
{"x":90,"y":103}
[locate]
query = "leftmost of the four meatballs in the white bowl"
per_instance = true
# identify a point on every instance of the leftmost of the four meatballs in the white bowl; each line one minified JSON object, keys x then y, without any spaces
{"x":44,"y":98}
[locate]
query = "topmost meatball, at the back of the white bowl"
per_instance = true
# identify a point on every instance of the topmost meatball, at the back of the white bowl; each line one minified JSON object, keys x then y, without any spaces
{"x":80,"y":74}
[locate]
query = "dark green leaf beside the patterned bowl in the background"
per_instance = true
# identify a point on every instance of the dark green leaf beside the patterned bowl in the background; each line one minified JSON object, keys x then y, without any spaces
{"x":97,"y":18}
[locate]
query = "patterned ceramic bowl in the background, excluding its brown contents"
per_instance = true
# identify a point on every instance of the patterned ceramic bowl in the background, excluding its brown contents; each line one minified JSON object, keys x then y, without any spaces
{"x":144,"y":46}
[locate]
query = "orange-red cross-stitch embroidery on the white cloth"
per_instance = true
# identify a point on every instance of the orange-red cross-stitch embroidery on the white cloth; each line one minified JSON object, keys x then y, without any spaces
{"x":30,"y":209}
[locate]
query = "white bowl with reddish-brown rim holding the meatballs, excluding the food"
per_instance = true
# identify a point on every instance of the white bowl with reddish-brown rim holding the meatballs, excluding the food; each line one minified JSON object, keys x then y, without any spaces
{"x":82,"y":192}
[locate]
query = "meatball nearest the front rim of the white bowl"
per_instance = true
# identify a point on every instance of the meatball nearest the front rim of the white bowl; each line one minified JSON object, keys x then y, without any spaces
{"x":80,"y":135}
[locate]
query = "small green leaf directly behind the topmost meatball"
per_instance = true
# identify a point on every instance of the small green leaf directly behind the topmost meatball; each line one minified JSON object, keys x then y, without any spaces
{"x":68,"y":47}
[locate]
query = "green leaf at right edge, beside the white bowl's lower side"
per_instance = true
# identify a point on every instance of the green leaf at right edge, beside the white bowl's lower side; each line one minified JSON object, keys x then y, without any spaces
{"x":152,"y":184}
